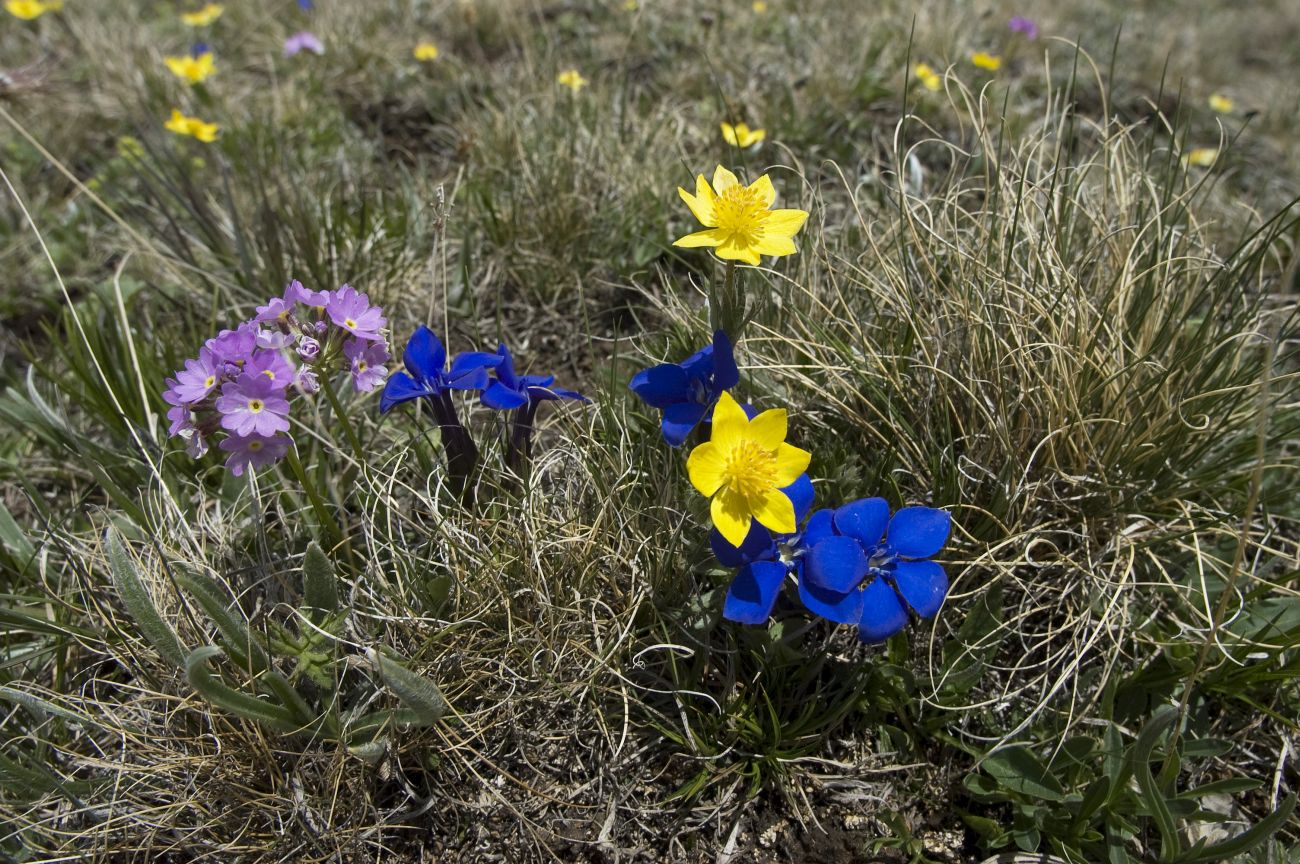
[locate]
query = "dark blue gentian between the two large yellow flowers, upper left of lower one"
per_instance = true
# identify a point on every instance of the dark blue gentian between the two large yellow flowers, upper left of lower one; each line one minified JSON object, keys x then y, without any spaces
{"x":687,"y":392}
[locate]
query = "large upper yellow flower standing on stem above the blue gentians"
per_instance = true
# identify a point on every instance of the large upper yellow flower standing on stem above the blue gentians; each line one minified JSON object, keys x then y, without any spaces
{"x":740,"y":227}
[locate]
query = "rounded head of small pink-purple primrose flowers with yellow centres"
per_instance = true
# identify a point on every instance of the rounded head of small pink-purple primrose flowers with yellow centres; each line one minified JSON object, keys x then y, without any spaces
{"x":244,"y":380}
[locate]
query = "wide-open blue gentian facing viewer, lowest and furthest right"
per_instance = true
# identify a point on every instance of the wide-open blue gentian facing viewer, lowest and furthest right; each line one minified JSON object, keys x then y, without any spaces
{"x":863,"y":567}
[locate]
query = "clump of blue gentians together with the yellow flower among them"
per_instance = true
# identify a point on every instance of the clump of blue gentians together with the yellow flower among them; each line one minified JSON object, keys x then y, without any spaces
{"x":855,"y":565}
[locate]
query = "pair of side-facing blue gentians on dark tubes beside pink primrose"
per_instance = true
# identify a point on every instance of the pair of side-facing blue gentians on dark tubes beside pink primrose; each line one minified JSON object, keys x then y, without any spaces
{"x":428,"y":377}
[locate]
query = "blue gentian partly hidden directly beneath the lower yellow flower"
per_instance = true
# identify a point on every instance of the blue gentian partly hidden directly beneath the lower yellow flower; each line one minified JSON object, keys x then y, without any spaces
{"x":762,"y":566}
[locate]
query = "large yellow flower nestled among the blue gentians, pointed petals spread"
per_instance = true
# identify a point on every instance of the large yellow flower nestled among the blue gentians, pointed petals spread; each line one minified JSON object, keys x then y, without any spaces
{"x":744,"y":468}
